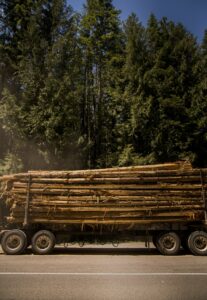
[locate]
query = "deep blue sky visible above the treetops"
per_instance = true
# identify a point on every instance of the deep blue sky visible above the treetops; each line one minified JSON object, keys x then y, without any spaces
{"x":191,"y":13}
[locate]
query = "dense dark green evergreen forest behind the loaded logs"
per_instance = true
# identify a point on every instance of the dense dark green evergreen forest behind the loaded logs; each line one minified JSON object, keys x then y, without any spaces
{"x":89,"y":90}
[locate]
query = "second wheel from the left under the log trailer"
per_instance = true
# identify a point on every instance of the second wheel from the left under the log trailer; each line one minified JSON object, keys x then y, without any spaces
{"x":43,"y":242}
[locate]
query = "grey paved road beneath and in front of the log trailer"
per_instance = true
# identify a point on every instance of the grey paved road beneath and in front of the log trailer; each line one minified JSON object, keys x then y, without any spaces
{"x":103,"y":273}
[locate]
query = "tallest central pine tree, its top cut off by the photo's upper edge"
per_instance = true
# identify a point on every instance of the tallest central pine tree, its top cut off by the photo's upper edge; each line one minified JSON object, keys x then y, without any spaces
{"x":102,"y":46}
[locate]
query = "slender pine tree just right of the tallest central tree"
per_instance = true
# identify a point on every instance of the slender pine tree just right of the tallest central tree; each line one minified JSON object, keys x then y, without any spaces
{"x":133,"y":72}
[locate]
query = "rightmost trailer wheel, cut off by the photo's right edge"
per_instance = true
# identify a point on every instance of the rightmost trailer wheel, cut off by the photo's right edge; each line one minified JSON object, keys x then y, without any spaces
{"x":197,"y":243}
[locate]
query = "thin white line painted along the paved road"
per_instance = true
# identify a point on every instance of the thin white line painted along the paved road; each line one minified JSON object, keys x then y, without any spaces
{"x":103,"y":274}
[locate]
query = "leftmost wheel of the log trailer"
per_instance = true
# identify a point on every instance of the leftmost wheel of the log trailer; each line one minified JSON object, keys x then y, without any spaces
{"x":14,"y":242}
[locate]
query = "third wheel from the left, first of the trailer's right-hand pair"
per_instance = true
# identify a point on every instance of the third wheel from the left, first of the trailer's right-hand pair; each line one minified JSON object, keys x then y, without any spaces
{"x":168,"y":243}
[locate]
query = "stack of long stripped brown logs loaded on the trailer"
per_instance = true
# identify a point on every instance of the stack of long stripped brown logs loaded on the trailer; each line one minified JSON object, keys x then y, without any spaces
{"x":172,"y":192}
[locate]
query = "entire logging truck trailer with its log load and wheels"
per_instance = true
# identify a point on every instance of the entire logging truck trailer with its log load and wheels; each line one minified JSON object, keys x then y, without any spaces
{"x":166,"y":204}
